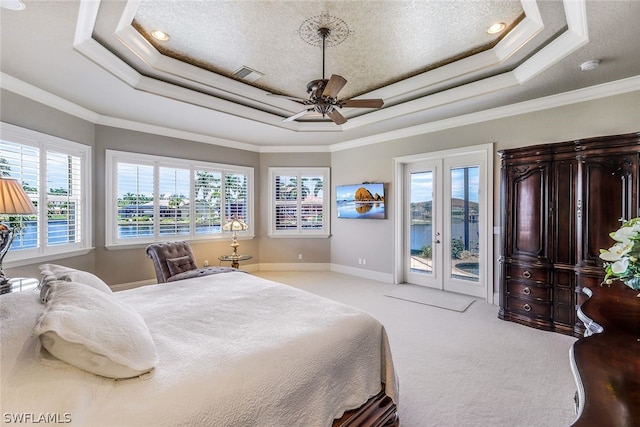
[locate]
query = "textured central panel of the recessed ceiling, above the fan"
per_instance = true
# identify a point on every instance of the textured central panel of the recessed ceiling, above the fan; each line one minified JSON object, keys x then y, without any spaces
{"x":374,"y":43}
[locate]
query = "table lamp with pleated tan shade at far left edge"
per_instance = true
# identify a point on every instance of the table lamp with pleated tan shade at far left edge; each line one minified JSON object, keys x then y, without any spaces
{"x":13,"y":201}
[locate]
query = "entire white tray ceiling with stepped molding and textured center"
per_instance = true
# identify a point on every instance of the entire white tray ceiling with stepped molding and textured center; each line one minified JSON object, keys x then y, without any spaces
{"x":430,"y":60}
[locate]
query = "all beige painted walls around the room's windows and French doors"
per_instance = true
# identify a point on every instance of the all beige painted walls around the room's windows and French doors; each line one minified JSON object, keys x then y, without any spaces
{"x":350,"y":240}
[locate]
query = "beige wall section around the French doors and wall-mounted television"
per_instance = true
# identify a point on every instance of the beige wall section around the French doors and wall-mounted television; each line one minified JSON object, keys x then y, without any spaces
{"x":374,"y":239}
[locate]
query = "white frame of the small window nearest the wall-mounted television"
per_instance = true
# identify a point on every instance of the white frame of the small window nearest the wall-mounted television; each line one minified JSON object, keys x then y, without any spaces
{"x":300,"y":173}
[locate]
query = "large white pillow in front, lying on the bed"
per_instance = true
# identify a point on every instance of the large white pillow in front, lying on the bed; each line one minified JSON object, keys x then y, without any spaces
{"x":95,"y":332}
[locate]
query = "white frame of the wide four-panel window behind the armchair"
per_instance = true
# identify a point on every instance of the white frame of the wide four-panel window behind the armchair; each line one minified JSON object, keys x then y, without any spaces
{"x":114,"y":157}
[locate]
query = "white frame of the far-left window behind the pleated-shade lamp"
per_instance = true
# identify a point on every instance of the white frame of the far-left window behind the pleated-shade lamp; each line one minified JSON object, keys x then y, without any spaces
{"x":47,"y":143}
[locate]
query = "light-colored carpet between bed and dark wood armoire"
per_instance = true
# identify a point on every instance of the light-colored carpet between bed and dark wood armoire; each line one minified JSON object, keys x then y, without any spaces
{"x":456,"y":369}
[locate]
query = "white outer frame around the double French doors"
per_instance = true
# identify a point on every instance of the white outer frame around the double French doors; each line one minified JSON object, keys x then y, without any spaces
{"x":485,"y":151}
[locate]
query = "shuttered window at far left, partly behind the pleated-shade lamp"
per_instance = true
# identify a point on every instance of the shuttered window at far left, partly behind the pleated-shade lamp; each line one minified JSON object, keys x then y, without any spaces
{"x":55,"y":174}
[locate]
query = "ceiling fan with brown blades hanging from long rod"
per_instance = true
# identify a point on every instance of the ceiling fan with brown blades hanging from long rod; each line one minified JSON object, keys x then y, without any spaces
{"x":323,"y":94}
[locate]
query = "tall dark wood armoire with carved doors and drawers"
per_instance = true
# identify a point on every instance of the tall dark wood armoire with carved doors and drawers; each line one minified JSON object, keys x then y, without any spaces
{"x":559,"y":202}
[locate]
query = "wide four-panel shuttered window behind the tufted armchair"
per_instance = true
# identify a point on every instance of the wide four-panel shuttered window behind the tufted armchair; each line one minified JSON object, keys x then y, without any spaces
{"x":152,"y":198}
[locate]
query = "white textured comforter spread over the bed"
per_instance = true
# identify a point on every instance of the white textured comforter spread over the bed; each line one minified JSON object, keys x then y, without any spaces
{"x":235,"y":350}
